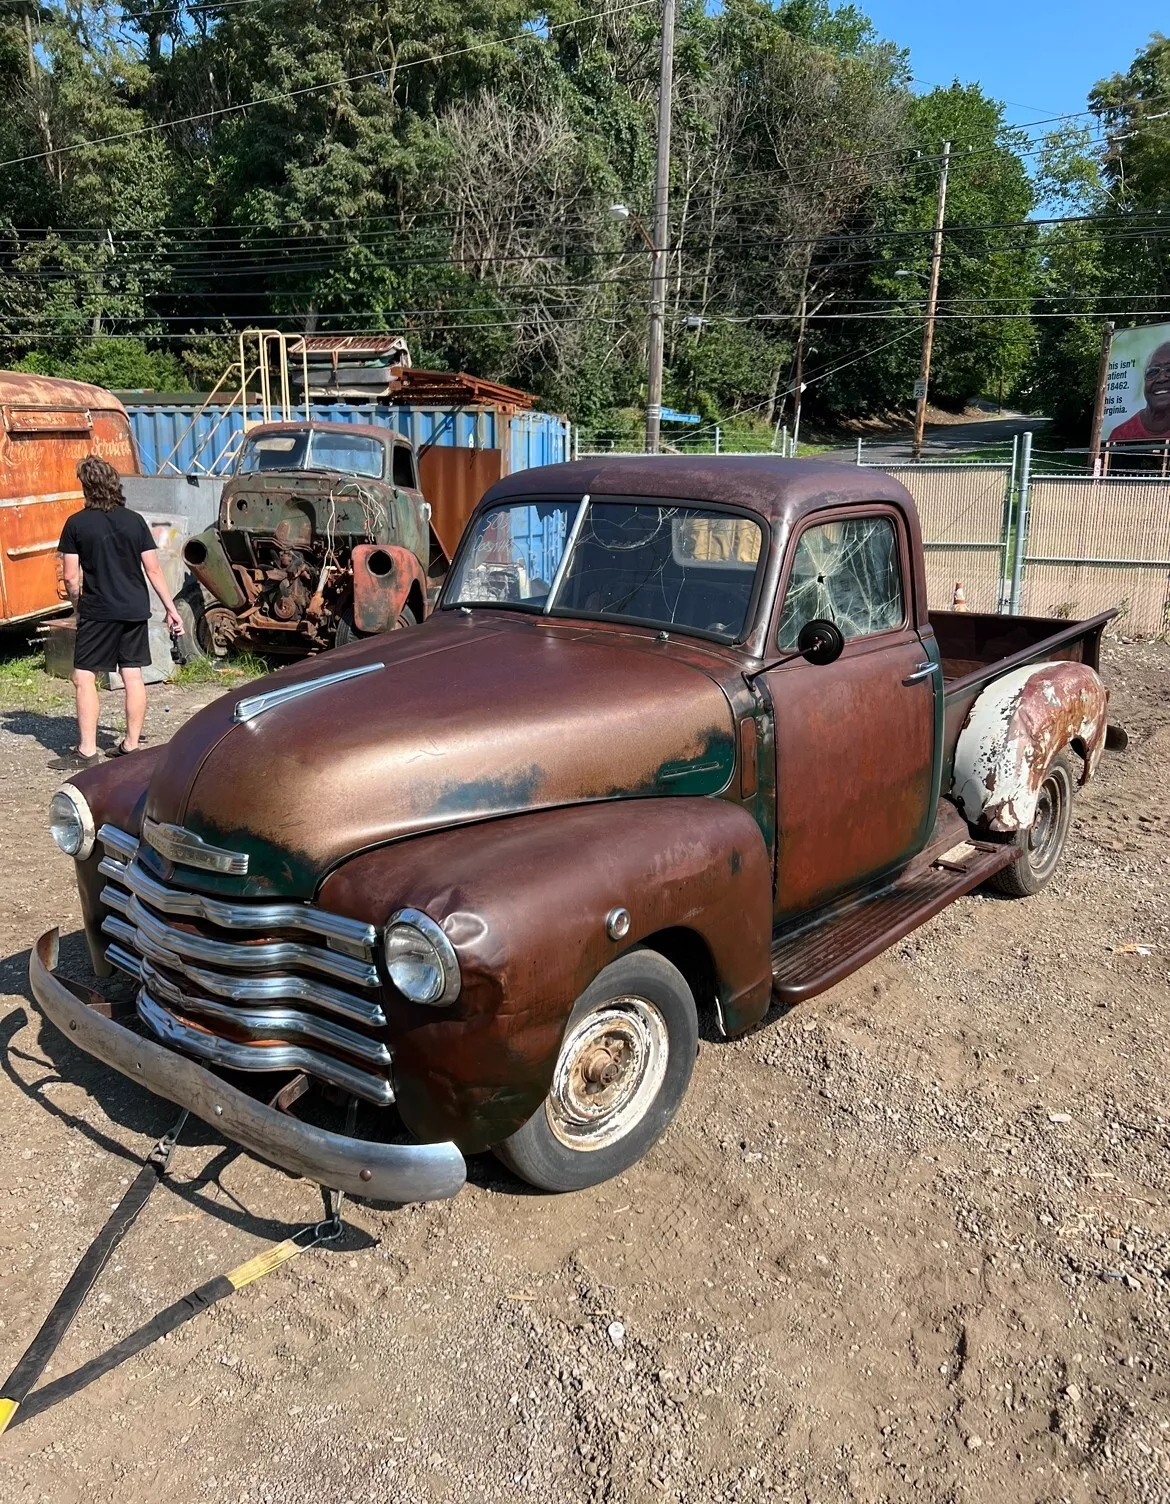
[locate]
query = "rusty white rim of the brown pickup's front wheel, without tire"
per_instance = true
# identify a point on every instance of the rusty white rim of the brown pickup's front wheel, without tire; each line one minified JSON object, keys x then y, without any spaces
{"x":610,"y":1072}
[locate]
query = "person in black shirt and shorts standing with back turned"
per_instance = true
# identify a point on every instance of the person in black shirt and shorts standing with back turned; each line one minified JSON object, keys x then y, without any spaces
{"x":108,"y":551}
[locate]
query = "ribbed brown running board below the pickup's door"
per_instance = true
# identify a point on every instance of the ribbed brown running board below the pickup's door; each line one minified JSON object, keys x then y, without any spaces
{"x":811,"y":960}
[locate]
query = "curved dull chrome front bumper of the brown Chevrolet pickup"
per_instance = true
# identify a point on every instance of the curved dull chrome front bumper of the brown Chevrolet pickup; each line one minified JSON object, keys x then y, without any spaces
{"x":386,"y":1172}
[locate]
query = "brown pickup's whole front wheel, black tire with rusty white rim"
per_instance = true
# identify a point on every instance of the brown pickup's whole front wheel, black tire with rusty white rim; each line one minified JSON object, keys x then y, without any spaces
{"x":638,"y":1016}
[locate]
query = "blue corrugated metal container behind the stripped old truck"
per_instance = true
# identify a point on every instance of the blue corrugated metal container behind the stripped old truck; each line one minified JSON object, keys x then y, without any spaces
{"x":181,"y":440}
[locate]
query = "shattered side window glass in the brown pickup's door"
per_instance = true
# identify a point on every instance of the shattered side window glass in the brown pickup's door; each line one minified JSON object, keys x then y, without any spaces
{"x":849,"y":574}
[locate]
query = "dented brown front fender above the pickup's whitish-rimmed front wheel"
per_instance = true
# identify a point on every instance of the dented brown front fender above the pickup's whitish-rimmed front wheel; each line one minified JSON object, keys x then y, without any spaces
{"x":524,"y":902}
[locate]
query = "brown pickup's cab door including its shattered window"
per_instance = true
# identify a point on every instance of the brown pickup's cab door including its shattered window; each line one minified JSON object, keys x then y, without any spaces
{"x":855,"y":739}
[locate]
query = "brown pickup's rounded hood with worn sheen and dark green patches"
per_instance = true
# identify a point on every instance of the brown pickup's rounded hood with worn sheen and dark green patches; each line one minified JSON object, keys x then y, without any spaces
{"x":467,"y":718}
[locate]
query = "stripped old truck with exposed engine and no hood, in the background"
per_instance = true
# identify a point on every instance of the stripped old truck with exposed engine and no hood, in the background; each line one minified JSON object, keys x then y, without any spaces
{"x":324,"y":536}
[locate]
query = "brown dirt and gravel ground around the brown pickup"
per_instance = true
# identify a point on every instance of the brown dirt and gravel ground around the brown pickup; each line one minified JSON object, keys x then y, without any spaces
{"x":909,"y":1242}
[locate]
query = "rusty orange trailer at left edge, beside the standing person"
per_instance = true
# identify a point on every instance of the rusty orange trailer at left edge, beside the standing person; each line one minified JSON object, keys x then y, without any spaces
{"x":46,"y":428}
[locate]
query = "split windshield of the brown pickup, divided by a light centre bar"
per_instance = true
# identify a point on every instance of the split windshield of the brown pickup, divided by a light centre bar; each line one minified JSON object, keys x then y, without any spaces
{"x":655,"y":565}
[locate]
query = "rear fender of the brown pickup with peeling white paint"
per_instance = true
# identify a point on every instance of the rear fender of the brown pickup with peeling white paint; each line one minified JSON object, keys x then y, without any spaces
{"x":1013,"y":735}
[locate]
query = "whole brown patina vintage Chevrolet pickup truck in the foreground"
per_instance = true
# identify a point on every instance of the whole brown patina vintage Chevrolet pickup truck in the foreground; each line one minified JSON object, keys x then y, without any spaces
{"x":680,"y":739}
